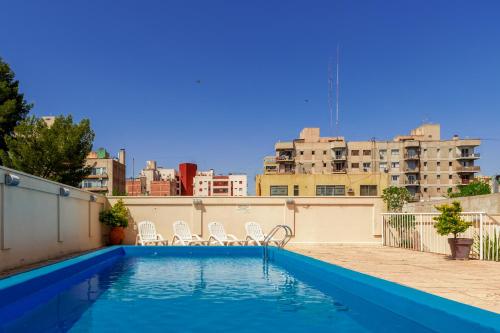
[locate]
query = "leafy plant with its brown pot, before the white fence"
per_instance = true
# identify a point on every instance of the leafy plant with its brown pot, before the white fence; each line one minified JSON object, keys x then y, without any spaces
{"x":450,"y":222}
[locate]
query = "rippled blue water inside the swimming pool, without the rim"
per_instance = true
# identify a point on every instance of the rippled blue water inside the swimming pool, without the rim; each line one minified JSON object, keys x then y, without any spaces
{"x":153,"y":291}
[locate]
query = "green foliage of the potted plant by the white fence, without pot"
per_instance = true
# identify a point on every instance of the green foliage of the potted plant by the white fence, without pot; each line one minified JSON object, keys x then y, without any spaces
{"x":450,"y":222}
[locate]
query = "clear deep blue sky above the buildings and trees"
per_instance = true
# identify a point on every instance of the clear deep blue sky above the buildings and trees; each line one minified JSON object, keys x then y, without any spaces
{"x":132,"y":66}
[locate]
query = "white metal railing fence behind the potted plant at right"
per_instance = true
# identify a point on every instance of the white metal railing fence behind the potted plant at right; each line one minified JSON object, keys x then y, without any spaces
{"x":416,"y":231}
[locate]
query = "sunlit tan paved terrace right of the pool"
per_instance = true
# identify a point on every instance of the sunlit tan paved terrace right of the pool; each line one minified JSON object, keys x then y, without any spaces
{"x":472,"y":282}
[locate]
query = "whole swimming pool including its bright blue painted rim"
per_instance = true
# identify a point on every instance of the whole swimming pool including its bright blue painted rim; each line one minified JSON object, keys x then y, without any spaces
{"x":213,"y":289}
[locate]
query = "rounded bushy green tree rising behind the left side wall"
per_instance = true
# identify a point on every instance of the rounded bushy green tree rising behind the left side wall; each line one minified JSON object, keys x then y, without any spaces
{"x":56,"y":152}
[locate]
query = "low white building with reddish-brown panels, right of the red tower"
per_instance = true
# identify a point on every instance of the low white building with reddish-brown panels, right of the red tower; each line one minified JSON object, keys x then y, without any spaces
{"x":208,"y":184}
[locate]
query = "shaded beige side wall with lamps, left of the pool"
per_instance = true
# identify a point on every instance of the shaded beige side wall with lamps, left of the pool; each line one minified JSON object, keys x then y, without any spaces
{"x":37,"y":224}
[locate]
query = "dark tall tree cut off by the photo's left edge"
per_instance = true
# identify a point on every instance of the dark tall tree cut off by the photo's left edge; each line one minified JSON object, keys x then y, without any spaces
{"x":13,"y":107}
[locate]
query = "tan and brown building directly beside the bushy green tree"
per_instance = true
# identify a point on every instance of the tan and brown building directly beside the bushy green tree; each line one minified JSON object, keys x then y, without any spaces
{"x":107,"y":175}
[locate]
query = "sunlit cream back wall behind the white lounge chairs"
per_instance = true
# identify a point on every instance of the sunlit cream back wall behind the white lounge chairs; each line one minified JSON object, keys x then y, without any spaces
{"x":313,"y":219}
